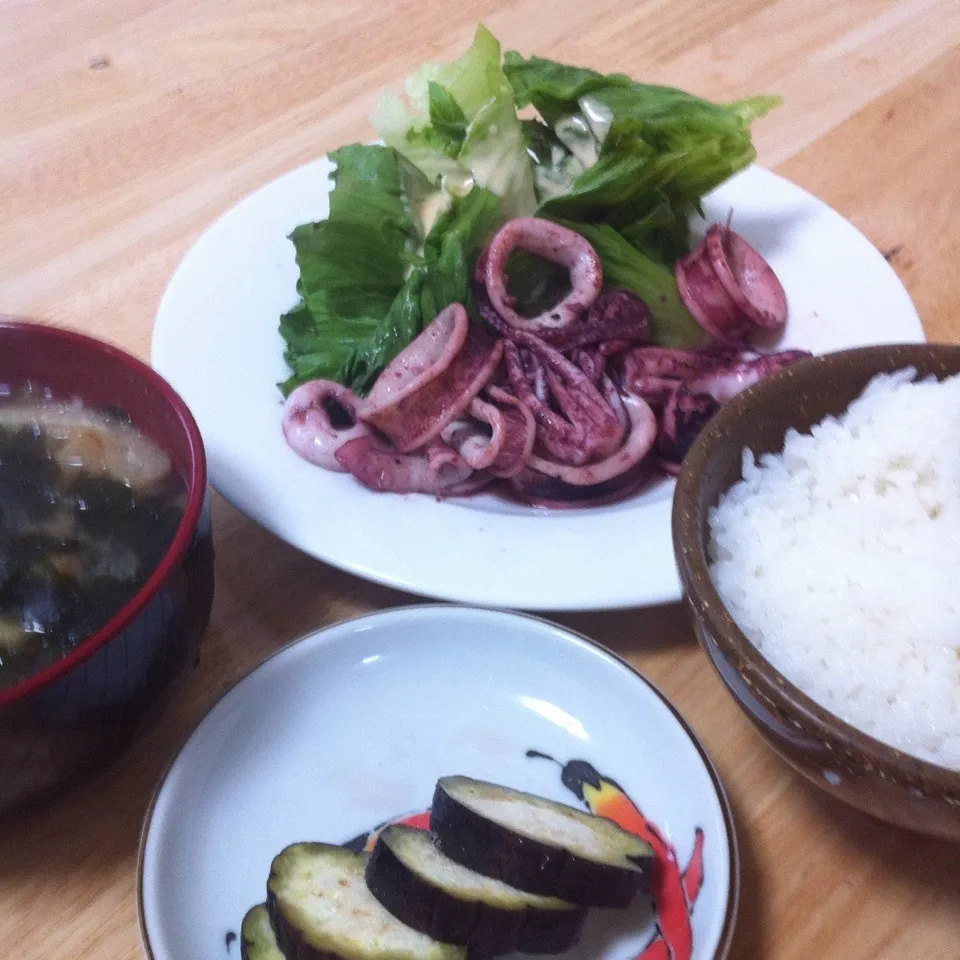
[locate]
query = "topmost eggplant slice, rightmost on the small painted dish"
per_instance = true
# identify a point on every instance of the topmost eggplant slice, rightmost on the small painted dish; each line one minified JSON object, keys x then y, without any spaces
{"x":539,"y":845}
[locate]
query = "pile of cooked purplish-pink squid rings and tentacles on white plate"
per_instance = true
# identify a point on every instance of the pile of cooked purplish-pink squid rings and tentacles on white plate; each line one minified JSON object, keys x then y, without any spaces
{"x":571,"y":406}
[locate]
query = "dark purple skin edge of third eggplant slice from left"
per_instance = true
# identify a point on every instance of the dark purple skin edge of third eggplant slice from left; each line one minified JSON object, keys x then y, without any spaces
{"x":485,"y":928}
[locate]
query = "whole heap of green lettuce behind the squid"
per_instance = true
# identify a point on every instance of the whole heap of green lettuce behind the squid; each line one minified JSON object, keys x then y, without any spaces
{"x":623,"y":163}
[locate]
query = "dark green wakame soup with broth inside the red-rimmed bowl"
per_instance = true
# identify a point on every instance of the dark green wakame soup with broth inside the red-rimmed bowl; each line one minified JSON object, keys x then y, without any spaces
{"x":88,"y":508}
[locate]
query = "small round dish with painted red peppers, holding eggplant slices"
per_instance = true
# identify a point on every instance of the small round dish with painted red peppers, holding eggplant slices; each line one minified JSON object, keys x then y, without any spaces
{"x":353,"y":725}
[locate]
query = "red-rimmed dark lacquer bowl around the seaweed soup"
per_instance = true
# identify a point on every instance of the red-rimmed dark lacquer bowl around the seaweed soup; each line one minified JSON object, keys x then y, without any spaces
{"x":81,"y":710}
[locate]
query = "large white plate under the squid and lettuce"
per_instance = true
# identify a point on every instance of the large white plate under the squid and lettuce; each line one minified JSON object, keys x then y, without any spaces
{"x":216,"y":341}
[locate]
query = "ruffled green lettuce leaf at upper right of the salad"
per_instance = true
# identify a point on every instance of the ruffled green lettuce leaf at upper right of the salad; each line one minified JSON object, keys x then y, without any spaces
{"x":656,"y":150}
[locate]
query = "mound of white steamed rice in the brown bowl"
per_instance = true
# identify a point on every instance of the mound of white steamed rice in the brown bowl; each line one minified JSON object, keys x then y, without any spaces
{"x":840,"y":560}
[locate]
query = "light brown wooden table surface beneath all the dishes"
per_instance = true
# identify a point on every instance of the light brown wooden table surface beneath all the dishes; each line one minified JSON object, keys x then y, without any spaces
{"x":126,"y":126}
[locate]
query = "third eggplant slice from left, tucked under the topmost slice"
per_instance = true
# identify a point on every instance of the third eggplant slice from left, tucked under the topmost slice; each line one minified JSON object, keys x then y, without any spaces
{"x":430,"y":892}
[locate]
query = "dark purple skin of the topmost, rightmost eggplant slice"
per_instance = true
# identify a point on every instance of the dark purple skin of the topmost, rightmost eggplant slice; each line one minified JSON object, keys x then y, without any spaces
{"x":488,"y":847}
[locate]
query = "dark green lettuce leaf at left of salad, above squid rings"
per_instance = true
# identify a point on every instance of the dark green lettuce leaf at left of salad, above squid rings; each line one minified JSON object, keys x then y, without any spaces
{"x":369,"y":283}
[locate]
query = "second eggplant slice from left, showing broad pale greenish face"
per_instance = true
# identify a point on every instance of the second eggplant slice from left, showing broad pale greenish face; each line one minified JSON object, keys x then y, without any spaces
{"x":321,"y":909}
